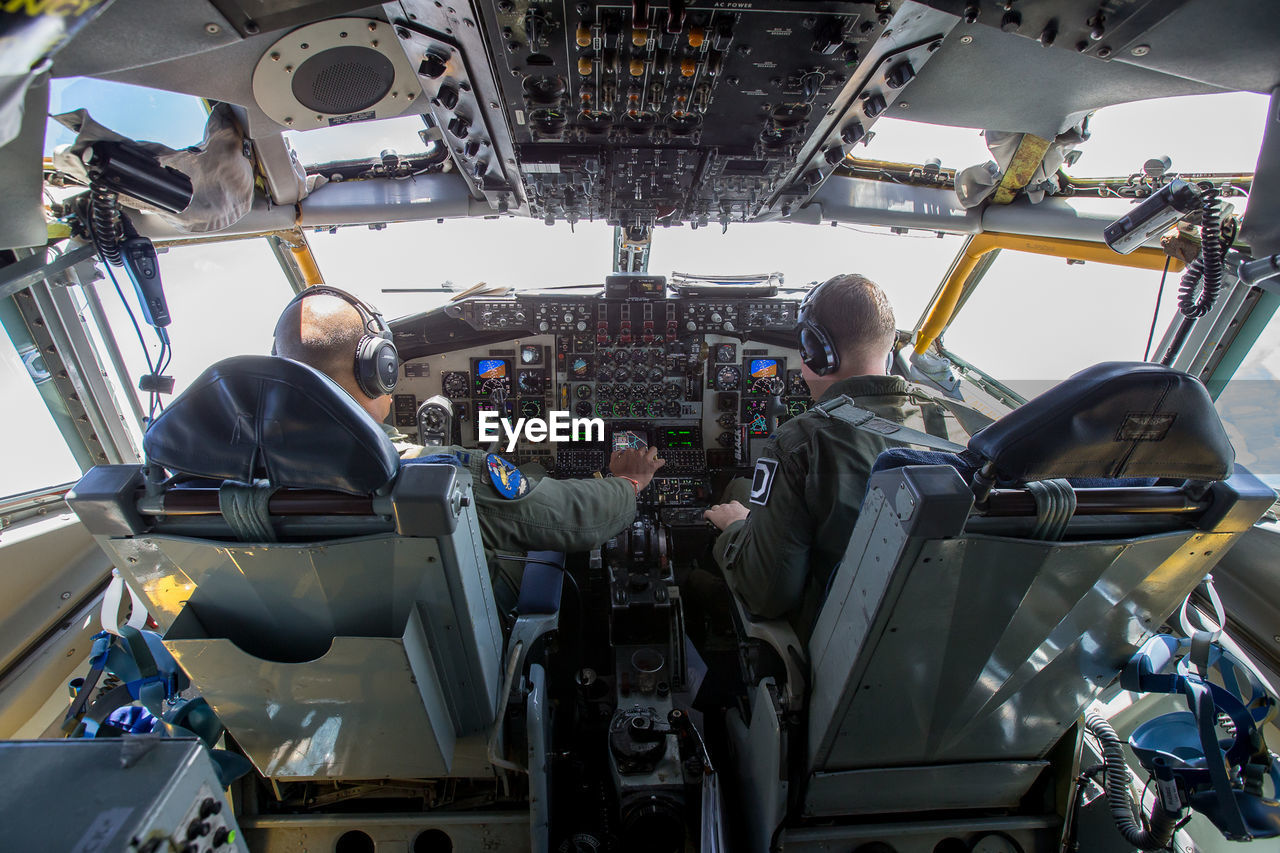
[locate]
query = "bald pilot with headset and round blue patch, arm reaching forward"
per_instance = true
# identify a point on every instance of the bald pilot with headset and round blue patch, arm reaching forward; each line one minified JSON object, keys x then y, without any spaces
{"x":349,"y":341}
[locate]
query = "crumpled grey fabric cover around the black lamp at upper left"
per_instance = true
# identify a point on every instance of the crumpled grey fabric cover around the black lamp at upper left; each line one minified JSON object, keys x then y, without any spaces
{"x":221,"y":174}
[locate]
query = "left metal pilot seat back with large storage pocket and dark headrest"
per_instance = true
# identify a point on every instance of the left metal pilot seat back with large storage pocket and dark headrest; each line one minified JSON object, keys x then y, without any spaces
{"x":359,"y":656}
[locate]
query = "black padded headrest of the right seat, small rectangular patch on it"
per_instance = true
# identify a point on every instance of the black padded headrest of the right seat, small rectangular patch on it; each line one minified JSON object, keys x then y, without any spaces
{"x":1116,"y":419}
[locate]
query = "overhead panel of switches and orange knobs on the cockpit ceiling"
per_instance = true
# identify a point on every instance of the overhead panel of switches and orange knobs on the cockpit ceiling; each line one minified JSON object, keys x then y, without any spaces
{"x":646,"y":115}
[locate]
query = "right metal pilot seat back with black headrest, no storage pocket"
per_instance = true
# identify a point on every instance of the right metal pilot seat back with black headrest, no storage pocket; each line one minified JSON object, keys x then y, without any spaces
{"x":954,"y":653}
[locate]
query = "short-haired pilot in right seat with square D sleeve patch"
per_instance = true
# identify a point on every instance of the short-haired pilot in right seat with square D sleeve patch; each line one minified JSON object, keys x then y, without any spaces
{"x":785,"y":544}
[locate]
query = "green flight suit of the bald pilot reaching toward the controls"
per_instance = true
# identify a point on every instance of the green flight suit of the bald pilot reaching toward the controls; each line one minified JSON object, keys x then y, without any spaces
{"x":551,"y":516}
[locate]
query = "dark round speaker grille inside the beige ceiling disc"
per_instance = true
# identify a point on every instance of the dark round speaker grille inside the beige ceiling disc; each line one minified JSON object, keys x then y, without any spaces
{"x":344,"y":80}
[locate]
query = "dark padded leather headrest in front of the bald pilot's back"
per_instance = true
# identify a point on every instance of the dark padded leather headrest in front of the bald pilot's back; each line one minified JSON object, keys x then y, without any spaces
{"x":264,"y":417}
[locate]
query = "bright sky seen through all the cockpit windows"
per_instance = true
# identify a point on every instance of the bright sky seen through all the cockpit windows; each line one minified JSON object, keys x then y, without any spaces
{"x":1034,"y":318}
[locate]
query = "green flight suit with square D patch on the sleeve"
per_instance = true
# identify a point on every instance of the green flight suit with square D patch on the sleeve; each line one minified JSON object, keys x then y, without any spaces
{"x":804,"y":501}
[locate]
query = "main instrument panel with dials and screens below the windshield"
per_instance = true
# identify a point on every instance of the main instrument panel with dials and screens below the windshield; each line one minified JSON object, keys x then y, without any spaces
{"x":684,"y":376}
